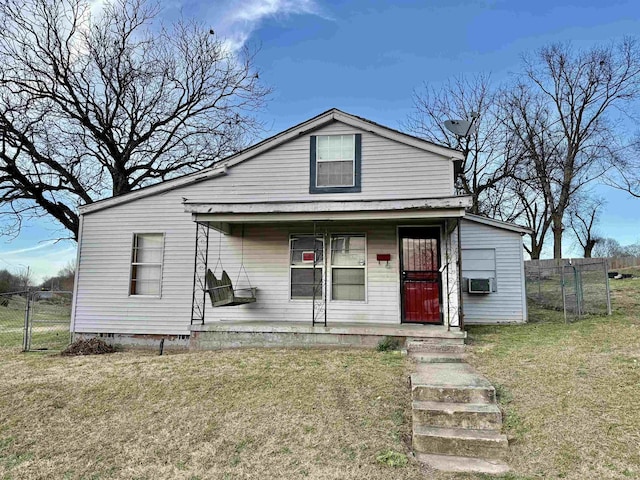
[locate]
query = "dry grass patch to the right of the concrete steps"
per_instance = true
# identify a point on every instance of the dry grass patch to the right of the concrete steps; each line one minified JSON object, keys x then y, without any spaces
{"x":569,"y":392}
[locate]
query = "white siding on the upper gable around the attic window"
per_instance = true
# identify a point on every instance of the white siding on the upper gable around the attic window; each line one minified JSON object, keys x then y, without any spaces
{"x":390,"y":170}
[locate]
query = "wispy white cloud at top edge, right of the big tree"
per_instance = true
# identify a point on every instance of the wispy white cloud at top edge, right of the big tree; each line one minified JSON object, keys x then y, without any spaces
{"x":237,"y":20}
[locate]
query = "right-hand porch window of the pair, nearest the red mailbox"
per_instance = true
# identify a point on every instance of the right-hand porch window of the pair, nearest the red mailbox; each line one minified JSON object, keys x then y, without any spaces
{"x":348,"y":267}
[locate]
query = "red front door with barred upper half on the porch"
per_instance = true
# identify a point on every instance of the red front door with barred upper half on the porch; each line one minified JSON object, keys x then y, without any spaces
{"x":420,"y":282}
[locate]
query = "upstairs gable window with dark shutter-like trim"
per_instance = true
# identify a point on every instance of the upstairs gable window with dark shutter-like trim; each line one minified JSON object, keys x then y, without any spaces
{"x":335,"y":163}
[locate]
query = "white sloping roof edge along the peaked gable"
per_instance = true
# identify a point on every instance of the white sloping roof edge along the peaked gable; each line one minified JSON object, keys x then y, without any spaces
{"x":220,"y":167}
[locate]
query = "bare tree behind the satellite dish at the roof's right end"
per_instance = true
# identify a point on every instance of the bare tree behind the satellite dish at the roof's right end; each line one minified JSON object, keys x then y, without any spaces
{"x":488,"y":159}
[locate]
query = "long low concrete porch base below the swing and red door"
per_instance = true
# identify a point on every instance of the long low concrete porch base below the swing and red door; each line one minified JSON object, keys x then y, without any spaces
{"x":239,"y":334}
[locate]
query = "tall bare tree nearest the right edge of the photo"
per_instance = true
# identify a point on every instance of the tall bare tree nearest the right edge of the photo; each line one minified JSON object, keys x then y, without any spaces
{"x":579,"y":89}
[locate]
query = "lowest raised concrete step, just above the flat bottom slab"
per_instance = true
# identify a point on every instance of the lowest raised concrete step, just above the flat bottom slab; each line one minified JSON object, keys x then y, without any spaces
{"x":483,"y":444}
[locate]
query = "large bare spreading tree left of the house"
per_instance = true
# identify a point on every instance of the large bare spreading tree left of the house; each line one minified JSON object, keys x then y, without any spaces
{"x":92,"y":106}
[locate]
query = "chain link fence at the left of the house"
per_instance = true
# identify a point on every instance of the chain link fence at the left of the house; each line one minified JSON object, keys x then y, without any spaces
{"x":35,"y":321}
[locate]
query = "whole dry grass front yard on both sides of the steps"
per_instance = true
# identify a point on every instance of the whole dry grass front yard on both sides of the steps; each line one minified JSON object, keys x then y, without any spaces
{"x":570,"y":394}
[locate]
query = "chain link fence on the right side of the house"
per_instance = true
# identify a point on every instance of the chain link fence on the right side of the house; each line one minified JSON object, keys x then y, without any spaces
{"x":576,"y":287}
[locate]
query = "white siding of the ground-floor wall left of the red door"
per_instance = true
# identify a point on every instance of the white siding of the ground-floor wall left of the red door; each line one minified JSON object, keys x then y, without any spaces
{"x":104,"y":306}
